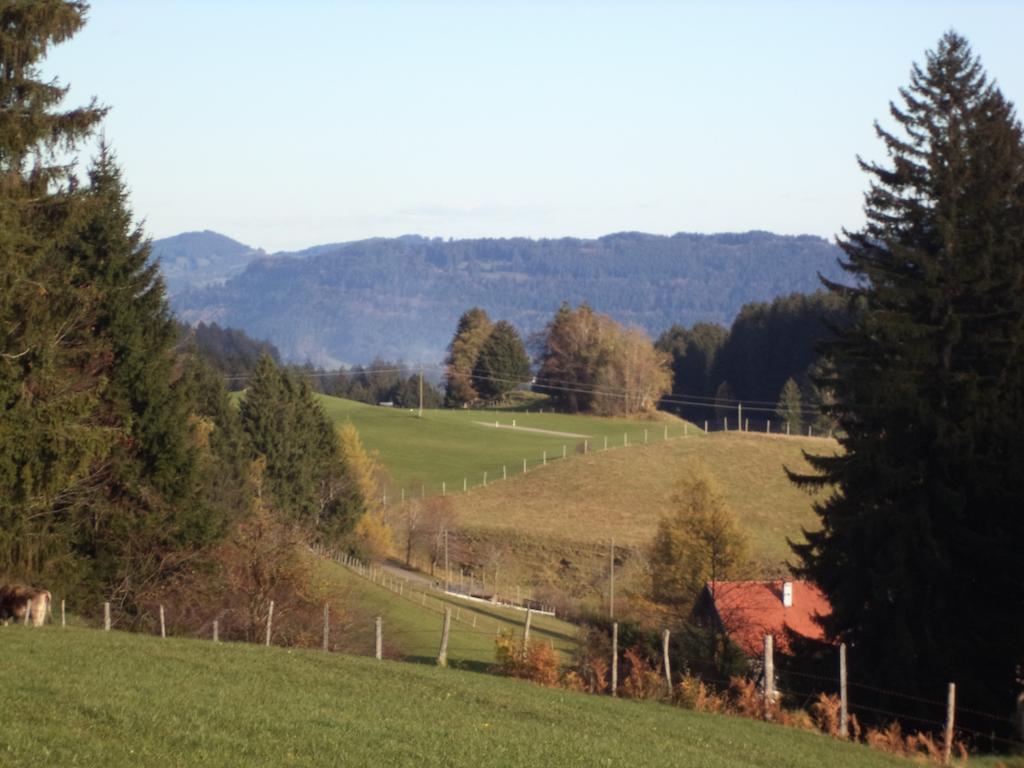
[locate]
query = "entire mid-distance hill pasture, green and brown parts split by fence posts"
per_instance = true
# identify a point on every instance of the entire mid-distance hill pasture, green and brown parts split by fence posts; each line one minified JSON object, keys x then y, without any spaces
{"x":568,"y":511}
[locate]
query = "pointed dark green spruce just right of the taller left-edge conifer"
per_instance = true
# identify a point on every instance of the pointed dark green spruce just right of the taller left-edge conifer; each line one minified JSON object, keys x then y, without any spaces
{"x":147,"y":505}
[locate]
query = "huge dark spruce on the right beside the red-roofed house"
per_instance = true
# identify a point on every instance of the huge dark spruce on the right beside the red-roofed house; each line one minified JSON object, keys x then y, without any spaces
{"x":920,"y":547}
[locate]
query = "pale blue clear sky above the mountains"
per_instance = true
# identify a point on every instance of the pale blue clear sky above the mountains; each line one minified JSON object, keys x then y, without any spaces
{"x":287,"y":125}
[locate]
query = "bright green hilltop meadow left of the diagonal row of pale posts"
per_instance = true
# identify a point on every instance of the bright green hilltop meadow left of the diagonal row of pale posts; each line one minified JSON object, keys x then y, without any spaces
{"x":450,"y":446}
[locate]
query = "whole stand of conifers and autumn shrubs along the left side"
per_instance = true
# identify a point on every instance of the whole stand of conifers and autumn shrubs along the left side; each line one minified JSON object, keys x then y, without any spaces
{"x":125,"y":470}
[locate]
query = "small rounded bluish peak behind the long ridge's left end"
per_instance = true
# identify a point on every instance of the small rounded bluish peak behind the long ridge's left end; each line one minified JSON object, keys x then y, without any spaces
{"x":195,"y":261}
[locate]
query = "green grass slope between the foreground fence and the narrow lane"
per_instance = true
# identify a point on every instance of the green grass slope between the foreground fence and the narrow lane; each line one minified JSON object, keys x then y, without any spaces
{"x":412,"y":623}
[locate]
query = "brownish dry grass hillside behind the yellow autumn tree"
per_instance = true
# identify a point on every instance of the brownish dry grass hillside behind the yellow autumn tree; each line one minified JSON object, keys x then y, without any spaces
{"x":624,"y":494}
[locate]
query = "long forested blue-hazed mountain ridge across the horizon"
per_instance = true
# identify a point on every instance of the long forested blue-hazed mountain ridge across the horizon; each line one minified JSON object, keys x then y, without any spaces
{"x":400,"y":298}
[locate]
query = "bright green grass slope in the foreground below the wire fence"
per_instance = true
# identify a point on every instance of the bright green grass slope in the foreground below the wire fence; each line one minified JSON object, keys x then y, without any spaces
{"x":92,"y":699}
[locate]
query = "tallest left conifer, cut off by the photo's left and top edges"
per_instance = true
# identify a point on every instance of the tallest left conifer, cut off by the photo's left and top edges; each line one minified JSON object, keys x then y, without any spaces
{"x":52,"y":366}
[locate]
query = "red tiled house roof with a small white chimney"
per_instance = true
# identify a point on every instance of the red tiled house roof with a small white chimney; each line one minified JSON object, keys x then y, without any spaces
{"x":750,"y":611}
